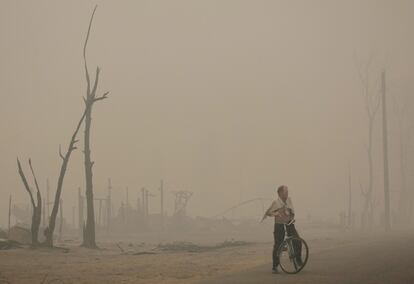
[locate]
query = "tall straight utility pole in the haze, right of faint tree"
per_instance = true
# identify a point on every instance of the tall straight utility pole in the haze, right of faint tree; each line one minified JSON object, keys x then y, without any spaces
{"x":385,"y":152}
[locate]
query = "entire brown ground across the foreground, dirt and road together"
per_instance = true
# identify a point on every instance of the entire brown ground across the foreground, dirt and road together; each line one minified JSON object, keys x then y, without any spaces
{"x":335,"y":257}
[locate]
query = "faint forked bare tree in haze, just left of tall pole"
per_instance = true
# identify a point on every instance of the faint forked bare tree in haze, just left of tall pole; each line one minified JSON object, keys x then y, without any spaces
{"x":372,"y":103}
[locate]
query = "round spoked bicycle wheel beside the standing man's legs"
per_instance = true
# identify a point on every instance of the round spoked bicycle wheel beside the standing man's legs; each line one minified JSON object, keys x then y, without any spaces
{"x":293,"y":255}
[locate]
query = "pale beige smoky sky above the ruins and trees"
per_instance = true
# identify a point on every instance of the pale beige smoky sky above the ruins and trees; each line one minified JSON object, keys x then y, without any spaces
{"x":228,"y":99}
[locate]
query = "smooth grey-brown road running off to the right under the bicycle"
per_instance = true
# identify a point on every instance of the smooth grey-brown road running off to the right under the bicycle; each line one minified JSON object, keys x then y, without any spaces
{"x":387,"y":258}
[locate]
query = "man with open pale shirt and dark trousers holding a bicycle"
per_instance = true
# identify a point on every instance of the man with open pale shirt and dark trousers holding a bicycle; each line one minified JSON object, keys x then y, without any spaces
{"x":282,"y":210}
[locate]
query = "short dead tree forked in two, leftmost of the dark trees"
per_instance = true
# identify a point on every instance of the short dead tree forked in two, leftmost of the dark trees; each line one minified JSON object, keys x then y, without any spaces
{"x":37,"y":208}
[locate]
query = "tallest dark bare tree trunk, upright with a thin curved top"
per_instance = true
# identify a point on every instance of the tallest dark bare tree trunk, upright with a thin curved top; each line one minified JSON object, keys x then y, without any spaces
{"x":91,"y":98}
